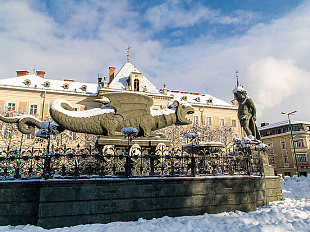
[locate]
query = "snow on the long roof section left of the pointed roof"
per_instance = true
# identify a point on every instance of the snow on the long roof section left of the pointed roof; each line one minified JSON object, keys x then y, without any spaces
{"x":37,"y":82}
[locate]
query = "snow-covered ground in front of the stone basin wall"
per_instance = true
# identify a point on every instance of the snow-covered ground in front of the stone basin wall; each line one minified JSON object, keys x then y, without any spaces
{"x":291,"y":214}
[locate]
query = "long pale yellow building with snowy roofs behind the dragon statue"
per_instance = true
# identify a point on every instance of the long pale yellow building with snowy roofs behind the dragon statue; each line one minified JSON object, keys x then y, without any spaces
{"x":32,"y":93}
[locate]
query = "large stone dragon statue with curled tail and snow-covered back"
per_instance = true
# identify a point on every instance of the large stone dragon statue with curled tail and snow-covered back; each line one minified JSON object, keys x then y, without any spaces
{"x":124,"y":110}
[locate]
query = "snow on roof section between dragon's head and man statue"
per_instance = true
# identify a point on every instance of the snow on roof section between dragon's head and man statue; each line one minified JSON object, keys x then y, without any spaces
{"x":200,"y":99}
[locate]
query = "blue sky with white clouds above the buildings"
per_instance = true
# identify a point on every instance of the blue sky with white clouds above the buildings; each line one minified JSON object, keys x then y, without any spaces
{"x":190,"y":45}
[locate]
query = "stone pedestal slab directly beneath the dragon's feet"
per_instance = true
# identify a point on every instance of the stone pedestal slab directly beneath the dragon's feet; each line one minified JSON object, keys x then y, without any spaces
{"x":122,"y":141}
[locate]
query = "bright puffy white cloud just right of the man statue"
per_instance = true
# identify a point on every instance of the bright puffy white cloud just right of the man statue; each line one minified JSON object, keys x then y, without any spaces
{"x":275,"y":80}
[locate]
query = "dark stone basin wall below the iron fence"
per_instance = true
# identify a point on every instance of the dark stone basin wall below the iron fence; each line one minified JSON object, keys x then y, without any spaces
{"x":60,"y":203}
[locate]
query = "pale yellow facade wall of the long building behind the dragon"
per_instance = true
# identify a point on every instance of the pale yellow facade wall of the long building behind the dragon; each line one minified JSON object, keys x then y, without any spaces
{"x":24,"y":97}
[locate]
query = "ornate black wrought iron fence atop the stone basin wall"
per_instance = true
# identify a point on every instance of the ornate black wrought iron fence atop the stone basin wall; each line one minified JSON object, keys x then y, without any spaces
{"x":119,"y":162}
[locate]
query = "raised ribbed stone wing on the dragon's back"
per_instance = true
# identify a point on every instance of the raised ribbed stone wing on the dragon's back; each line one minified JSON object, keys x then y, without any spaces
{"x":130,"y":105}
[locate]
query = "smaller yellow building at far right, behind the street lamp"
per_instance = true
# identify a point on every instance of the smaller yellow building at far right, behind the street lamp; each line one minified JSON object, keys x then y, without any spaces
{"x":282,"y":157}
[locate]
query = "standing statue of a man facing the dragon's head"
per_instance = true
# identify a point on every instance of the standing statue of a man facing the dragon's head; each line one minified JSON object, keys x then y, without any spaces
{"x":246,"y":112}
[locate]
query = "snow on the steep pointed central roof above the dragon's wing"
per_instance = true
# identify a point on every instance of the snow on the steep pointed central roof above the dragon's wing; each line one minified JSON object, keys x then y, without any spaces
{"x":120,"y":80}
